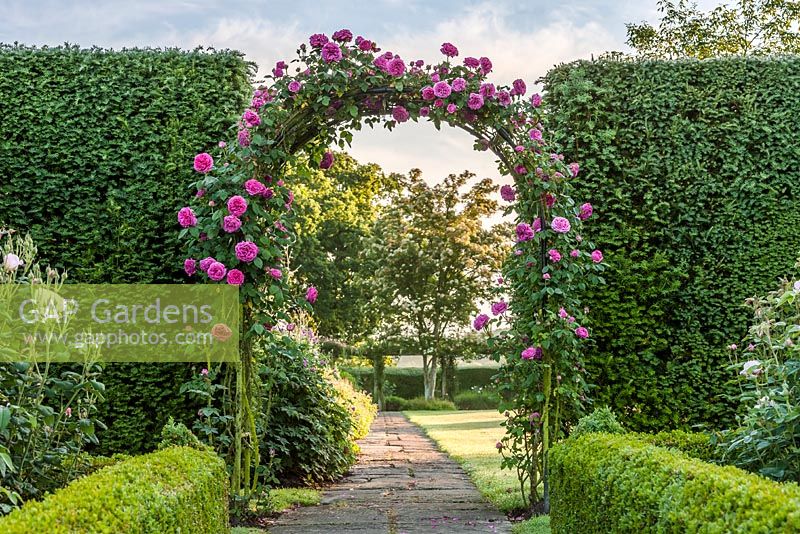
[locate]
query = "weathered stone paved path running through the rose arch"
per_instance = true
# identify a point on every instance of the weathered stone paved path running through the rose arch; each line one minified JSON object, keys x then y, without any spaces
{"x":401,"y":485}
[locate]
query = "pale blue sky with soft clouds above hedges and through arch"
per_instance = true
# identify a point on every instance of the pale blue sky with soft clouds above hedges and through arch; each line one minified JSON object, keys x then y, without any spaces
{"x":523,"y":40}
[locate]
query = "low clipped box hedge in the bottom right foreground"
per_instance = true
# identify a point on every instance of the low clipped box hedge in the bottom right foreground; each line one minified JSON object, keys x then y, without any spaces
{"x":619,"y":483}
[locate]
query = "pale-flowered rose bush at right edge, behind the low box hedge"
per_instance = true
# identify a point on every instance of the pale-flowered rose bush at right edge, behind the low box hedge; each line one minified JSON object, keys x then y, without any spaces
{"x":766,"y":437}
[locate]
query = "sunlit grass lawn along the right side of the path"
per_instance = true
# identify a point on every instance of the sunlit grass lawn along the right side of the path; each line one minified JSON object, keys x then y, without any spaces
{"x":469,"y":437}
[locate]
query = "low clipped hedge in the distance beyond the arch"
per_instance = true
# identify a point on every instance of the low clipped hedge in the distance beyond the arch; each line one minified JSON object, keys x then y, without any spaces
{"x":408,"y":383}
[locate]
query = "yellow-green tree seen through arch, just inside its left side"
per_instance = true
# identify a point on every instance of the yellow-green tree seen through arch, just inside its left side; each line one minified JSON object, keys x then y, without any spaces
{"x":336,"y":210}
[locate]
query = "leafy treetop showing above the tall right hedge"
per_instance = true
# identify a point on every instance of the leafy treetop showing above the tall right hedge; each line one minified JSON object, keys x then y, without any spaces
{"x":749,"y":27}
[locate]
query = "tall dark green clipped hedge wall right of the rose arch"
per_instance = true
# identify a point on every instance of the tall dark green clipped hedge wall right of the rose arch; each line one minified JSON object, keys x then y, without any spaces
{"x":693,"y":170}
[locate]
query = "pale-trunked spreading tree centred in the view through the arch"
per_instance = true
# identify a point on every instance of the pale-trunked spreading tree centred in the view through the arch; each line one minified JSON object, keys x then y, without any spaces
{"x":436,"y":261}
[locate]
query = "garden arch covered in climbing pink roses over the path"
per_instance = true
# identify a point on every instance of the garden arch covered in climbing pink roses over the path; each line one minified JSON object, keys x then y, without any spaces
{"x":238,"y":224}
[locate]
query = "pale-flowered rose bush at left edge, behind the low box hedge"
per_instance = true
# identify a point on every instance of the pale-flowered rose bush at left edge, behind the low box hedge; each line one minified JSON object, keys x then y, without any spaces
{"x":48,"y":412}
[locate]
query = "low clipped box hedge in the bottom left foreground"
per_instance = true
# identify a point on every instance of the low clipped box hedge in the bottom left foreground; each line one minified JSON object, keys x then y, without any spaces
{"x":174,"y":490}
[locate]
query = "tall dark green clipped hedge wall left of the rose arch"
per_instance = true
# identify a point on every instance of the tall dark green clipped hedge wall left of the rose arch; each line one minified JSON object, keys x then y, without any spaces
{"x":96,"y":151}
